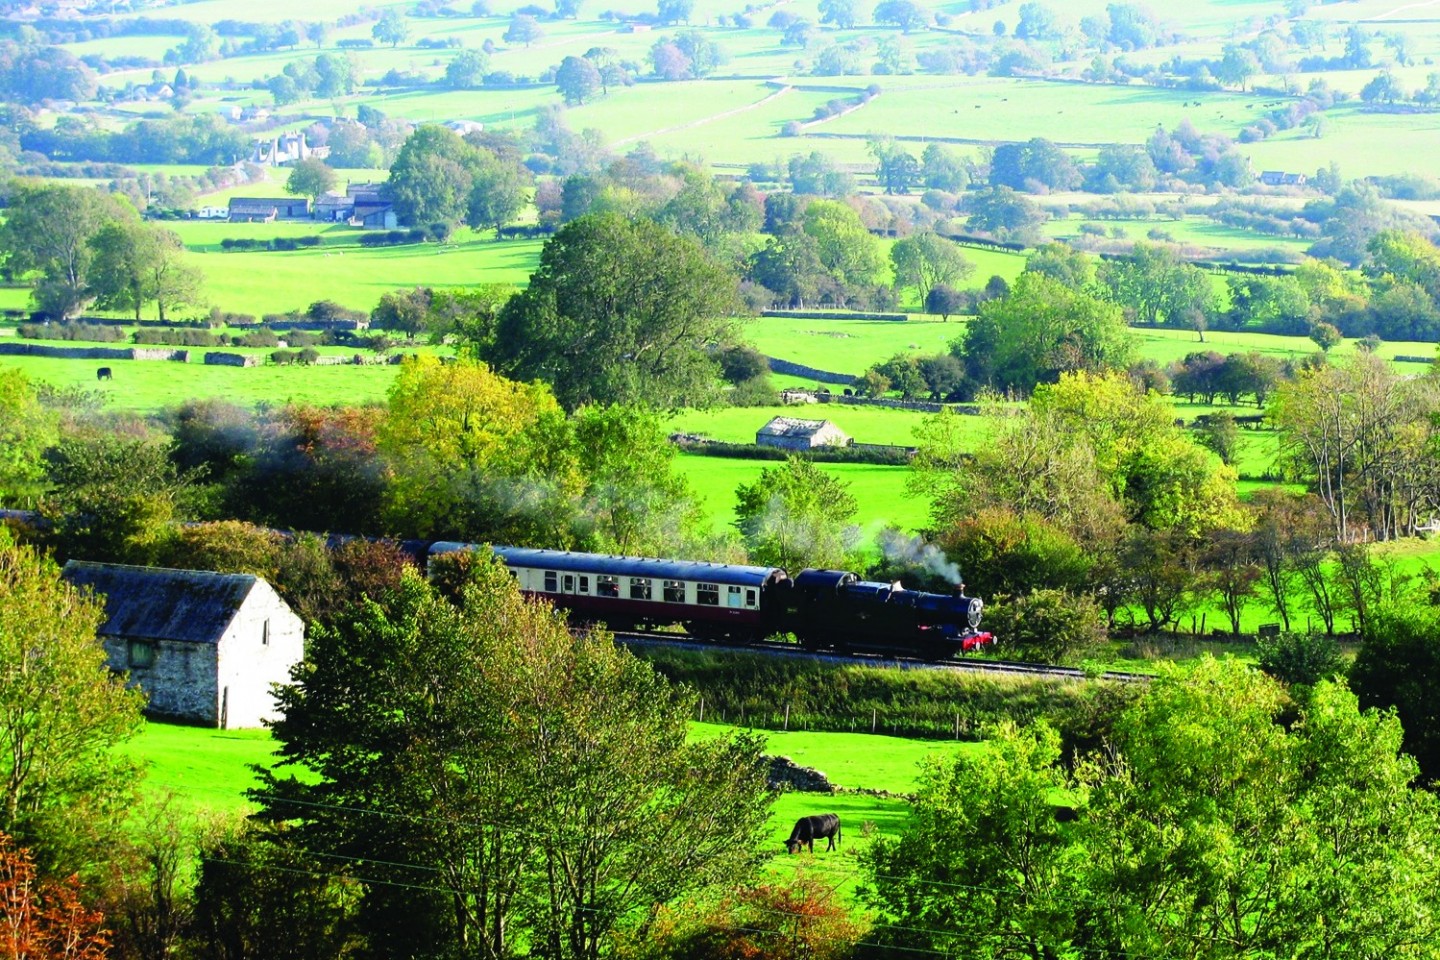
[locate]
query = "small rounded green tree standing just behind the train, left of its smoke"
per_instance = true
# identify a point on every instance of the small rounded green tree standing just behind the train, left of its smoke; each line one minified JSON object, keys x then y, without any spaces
{"x":797,"y":516}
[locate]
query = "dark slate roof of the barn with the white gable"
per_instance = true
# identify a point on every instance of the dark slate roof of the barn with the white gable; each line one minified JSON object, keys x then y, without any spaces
{"x":156,"y":604}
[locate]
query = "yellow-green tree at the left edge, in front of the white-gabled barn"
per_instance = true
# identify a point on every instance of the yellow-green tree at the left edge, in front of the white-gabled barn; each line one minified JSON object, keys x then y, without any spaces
{"x":63,"y":717}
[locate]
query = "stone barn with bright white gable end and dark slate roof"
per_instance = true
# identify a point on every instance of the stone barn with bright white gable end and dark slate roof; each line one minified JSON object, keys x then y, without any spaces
{"x":205,"y":647}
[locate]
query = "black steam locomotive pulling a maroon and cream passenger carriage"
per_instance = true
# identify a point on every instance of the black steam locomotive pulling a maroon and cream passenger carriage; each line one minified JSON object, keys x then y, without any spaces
{"x":823,"y":610}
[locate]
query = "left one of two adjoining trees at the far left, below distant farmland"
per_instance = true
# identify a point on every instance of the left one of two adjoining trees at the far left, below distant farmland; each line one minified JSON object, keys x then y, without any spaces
{"x":48,"y":232}
